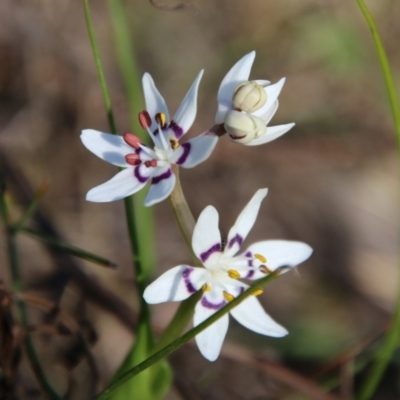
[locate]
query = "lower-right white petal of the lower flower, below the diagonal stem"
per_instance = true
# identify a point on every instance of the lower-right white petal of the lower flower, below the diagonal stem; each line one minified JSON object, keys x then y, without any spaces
{"x":251,"y":314}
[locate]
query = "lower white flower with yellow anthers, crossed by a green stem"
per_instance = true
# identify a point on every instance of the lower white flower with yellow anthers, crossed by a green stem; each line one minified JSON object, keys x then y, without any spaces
{"x":219,"y":280}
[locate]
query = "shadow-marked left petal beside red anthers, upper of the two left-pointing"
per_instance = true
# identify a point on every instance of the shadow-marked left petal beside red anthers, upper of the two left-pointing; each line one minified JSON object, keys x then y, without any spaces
{"x":110,"y":148}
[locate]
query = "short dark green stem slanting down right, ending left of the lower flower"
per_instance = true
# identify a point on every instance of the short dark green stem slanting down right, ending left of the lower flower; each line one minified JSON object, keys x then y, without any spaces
{"x":68,"y":248}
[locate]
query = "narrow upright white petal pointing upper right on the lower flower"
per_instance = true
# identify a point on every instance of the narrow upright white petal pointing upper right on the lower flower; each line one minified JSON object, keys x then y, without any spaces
{"x":244,"y":223}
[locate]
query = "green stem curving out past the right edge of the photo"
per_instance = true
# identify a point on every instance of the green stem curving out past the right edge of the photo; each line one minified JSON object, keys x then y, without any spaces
{"x":391,"y":340}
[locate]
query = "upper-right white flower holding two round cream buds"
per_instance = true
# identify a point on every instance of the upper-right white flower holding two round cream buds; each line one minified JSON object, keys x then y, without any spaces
{"x":238,"y":94}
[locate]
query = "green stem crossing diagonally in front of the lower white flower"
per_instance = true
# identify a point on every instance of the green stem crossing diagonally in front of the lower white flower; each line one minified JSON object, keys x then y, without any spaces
{"x":185,"y":338}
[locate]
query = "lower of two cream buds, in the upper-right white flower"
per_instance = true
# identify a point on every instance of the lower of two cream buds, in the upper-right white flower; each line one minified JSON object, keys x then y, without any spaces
{"x":243,"y":128}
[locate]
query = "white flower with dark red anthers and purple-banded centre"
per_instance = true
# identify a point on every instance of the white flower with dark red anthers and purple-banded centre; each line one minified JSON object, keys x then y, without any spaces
{"x":142,"y":163}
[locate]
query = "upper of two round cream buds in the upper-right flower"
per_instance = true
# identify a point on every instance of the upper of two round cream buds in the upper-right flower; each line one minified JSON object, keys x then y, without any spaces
{"x":249,"y":96}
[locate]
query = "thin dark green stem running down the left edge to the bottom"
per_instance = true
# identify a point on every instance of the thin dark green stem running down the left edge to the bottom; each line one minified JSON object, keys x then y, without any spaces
{"x":17,"y":288}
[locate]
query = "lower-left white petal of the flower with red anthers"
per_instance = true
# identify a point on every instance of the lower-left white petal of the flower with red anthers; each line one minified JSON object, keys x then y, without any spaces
{"x":121,"y":185}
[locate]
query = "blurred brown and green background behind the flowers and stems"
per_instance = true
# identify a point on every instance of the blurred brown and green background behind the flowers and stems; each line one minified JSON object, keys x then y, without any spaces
{"x":332,"y":179}
